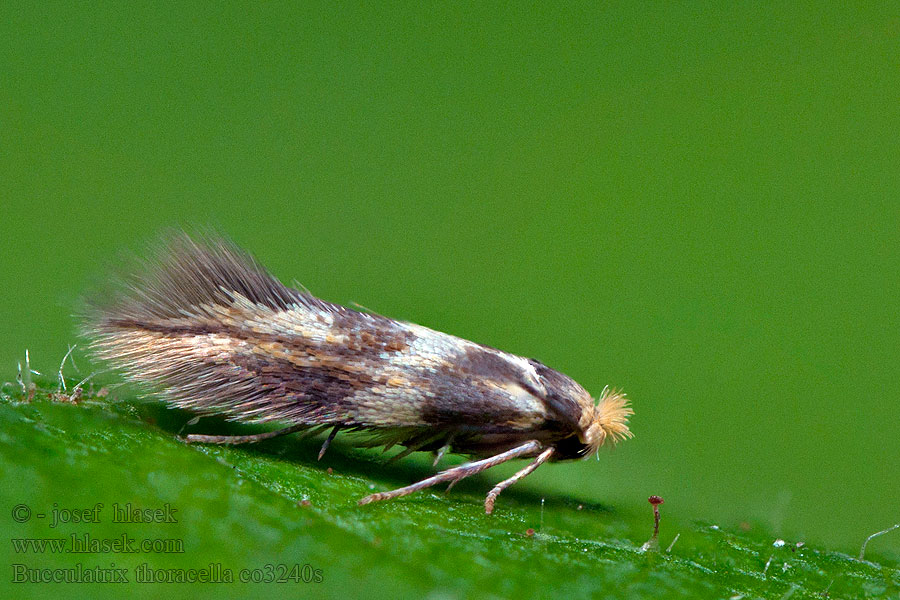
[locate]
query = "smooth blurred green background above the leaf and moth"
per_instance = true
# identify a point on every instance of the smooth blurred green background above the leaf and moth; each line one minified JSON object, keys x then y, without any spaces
{"x":696,"y":203}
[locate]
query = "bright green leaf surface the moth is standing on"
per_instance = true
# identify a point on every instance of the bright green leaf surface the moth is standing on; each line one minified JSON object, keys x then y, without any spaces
{"x":273,"y":510}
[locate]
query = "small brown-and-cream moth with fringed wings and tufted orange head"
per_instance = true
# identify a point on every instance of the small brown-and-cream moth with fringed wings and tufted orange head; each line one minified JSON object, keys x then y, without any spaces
{"x":205,"y":325}
